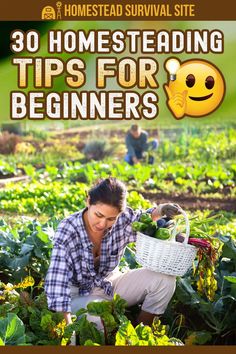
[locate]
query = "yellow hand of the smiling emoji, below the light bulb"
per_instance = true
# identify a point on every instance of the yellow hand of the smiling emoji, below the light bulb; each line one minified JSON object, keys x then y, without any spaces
{"x":176,"y":102}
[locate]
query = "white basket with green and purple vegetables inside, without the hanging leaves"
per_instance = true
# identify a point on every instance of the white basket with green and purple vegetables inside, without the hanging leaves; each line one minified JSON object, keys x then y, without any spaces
{"x":157,"y":249}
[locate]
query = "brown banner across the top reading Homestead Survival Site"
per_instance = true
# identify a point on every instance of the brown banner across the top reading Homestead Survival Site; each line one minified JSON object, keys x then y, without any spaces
{"x":126,"y":10}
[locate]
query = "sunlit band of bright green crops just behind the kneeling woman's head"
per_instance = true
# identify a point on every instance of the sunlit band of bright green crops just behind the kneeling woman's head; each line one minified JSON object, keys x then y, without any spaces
{"x":57,"y":190}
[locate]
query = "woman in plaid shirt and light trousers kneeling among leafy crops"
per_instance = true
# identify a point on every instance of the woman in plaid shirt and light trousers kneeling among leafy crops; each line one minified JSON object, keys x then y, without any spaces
{"x":88,"y":246}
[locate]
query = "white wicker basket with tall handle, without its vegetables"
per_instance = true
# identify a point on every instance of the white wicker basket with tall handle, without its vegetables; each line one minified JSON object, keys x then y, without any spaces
{"x":165,"y":256}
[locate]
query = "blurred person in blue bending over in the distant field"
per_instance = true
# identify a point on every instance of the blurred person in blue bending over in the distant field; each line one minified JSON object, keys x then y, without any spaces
{"x":136,"y":143}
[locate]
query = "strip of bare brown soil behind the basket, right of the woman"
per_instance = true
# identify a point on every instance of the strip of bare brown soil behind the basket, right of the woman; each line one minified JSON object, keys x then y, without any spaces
{"x":192,"y":202}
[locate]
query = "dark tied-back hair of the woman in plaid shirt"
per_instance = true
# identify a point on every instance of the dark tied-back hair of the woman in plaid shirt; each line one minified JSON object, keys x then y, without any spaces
{"x":109,"y":191}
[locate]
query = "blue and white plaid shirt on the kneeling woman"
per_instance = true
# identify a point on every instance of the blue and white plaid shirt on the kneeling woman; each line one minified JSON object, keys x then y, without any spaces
{"x":72,"y":259}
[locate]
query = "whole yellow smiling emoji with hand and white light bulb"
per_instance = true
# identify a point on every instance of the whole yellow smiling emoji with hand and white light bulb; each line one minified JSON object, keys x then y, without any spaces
{"x":198,"y":89}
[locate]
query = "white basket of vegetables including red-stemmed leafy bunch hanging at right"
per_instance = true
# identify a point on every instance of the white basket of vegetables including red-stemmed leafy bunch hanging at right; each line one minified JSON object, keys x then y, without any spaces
{"x":170,"y":257}
